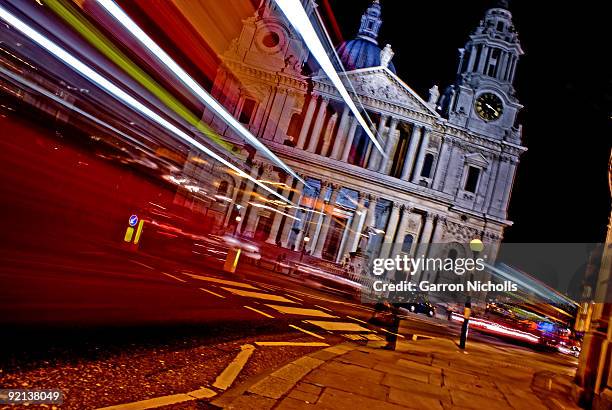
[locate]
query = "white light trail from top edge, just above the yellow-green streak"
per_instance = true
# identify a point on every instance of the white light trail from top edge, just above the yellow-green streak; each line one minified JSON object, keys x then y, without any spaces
{"x":115,"y":11}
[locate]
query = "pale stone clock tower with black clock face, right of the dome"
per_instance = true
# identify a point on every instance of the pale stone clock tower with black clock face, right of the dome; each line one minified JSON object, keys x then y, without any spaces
{"x":483,"y":98}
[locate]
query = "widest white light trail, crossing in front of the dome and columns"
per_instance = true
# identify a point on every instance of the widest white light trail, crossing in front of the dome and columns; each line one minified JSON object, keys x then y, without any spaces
{"x":297,"y":16}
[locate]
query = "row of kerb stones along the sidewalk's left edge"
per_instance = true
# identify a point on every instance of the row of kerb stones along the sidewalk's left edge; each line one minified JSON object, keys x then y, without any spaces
{"x":265,"y":390}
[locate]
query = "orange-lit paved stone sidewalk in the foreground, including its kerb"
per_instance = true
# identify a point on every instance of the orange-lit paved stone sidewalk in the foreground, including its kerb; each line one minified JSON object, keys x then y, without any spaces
{"x":427,"y":374}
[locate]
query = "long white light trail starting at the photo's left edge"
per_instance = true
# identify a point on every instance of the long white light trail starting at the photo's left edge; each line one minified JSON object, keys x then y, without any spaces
{"x":112,"y":89}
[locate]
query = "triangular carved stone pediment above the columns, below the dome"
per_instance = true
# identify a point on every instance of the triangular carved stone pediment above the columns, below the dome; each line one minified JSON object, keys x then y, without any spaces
{"x":382,"y":84}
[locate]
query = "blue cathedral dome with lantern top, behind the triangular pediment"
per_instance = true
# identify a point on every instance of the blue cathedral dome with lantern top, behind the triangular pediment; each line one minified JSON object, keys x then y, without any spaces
{"x":363,"y":51}
